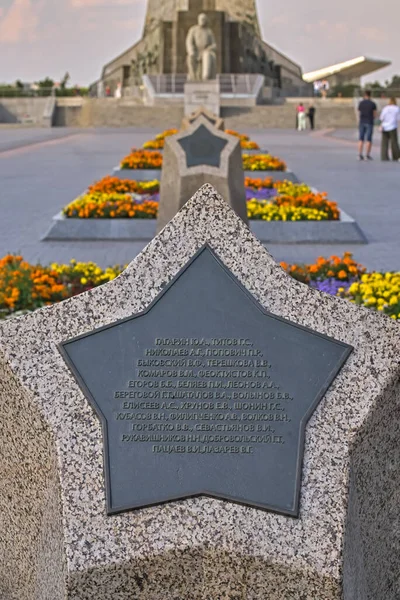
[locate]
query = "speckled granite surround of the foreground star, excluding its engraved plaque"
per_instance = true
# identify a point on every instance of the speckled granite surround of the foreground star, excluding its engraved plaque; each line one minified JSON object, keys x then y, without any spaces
{"x":60,"y":544}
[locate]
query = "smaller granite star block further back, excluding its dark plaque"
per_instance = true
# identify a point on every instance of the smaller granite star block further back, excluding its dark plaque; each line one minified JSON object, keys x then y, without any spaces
{"x":179,"y":182}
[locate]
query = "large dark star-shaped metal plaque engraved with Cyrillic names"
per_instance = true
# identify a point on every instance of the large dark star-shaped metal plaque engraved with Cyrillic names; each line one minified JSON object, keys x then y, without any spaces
{"x":204,"y":393}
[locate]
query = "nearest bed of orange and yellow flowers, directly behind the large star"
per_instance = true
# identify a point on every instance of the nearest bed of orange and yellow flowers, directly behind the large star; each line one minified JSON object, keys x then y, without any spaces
{"x":25,"y":287}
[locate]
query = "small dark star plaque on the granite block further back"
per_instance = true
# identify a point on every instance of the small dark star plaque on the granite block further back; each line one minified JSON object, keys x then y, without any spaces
{"x":202,"y":148}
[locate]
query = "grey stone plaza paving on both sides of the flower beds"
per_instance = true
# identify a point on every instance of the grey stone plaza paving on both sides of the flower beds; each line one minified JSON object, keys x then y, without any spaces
{"x":41,"y":170}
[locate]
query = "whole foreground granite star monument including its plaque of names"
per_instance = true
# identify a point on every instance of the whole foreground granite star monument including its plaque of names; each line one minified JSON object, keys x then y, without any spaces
{"x":138,"y":417}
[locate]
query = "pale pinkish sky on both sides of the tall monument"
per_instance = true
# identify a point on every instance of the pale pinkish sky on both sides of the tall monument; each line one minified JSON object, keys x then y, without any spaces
{"x":49,"y":37}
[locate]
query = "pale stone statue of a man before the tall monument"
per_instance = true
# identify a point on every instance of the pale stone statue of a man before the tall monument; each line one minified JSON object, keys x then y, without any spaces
{"x":201,"y":51}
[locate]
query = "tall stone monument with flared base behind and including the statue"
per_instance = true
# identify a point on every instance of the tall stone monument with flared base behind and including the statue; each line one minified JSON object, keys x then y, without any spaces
{"x":168,"y":49}
